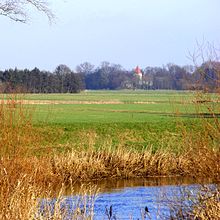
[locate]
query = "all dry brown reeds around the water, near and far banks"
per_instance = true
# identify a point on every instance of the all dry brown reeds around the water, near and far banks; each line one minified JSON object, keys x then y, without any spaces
{"x":24,"y":180}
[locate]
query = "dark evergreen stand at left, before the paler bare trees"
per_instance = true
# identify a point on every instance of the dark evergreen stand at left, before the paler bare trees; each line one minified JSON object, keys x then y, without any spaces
{"x":62,"y":80}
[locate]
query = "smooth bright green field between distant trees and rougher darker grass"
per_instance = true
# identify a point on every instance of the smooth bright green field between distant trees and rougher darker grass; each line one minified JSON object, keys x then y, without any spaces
{"x":115,"y":106}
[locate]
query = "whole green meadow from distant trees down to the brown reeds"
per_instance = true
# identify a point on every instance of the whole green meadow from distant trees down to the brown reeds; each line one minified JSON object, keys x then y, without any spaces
{"x":135,"y":119}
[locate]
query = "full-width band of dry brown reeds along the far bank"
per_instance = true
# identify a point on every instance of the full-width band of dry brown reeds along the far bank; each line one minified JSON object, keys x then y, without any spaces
{"x":90,"y":165}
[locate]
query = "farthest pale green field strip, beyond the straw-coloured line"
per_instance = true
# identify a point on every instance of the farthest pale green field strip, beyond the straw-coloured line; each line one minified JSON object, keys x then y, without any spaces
{"x":126,"y":96}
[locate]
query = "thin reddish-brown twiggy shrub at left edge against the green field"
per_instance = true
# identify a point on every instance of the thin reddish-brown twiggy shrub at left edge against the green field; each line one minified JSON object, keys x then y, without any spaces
{"x":16,"y":130}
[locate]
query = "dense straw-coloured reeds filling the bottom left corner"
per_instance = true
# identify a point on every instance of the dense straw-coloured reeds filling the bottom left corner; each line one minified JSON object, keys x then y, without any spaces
{"x":18,"y":200}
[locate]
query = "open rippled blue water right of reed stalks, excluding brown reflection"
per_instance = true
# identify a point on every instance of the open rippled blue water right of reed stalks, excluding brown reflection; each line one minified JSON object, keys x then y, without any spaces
{"x":131,"y":202}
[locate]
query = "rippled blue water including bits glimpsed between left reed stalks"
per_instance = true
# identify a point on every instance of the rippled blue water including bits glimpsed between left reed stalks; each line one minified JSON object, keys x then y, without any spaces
{"x":130,"y":202}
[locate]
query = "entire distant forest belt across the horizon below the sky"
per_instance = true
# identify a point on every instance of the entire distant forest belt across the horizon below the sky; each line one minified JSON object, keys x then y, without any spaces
{"x":110,"y":76}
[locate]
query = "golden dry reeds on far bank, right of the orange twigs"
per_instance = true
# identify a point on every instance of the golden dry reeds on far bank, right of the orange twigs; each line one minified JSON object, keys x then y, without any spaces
{"x":121,"y":163}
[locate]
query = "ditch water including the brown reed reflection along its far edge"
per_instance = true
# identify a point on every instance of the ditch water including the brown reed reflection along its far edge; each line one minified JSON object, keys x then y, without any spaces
{"x":128,"y":199}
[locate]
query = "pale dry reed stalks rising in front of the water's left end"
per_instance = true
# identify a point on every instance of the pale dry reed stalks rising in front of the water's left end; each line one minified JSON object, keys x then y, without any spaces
{"x":80,"y":206}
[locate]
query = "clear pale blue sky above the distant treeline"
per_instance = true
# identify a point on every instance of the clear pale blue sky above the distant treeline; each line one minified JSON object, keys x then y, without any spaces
{"x":126,"y":32}
